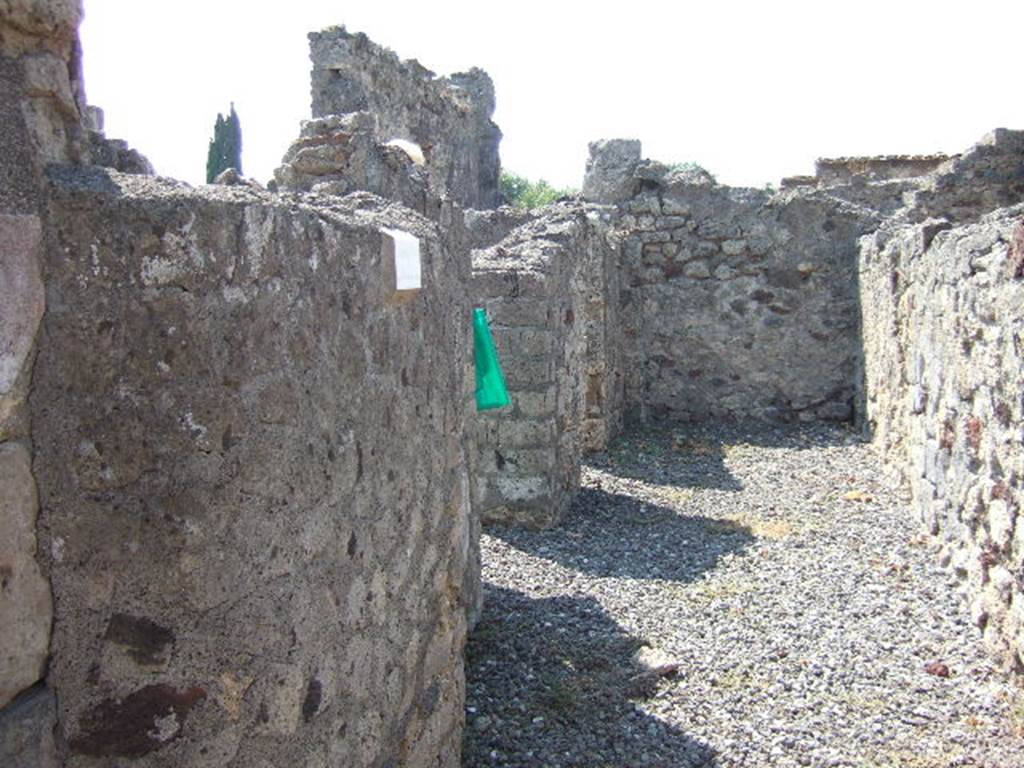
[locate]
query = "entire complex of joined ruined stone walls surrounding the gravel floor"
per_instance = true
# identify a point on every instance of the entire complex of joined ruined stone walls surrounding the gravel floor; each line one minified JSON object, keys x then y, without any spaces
{"x":236,"y":519}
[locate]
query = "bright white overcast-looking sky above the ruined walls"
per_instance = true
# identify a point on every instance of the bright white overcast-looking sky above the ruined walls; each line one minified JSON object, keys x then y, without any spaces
{"x":753,"y":91}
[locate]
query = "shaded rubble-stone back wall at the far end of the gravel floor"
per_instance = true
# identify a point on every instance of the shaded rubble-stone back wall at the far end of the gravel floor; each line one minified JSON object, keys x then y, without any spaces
{"x":739,"y":304}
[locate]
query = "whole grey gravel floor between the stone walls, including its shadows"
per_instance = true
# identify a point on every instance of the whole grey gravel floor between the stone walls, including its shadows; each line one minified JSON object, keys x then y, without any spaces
{"x":724,"y":598}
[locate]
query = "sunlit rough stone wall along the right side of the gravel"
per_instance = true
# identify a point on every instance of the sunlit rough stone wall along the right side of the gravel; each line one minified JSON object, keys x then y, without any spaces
{"x":945,"y":356}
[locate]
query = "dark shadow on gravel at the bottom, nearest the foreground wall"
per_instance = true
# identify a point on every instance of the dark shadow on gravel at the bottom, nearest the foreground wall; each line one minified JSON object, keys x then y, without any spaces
{"x":552,"y":682}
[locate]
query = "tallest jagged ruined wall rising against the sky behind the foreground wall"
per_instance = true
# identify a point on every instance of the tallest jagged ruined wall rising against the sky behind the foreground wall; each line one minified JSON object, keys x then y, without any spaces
{"x":449,"y":118}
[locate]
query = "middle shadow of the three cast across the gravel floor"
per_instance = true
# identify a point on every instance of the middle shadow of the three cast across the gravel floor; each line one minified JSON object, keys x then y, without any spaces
{"x":614,"y":535}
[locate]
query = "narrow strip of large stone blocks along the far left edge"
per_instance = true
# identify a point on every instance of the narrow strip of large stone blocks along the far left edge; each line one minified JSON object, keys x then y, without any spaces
{"x":41,"y":105}
